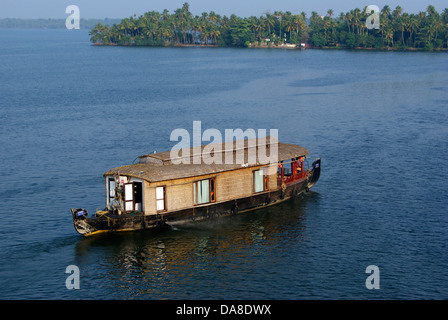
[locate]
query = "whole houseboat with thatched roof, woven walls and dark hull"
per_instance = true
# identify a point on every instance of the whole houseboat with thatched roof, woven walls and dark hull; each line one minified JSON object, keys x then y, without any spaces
{"x":161,"y":191}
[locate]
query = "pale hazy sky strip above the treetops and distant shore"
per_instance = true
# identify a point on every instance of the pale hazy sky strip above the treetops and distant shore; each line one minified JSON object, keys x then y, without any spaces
{"x":242,"y":8}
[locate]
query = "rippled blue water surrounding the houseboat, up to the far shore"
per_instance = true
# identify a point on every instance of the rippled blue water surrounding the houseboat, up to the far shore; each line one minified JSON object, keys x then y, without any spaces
{"x":69,"y":111}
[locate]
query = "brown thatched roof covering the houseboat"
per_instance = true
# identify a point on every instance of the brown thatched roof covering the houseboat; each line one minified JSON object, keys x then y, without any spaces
{"x":171,"y":165}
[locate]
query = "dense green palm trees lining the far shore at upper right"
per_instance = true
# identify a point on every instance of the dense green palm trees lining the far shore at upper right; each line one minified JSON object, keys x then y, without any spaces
{"x":426,"y":30}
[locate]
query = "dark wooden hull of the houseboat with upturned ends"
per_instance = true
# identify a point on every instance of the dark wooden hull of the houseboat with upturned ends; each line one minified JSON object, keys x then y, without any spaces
{"x":138,"y":221}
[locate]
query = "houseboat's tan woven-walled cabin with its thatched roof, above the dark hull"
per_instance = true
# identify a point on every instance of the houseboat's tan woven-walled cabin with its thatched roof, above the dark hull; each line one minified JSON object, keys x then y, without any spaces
{"x":155,"y":185}
